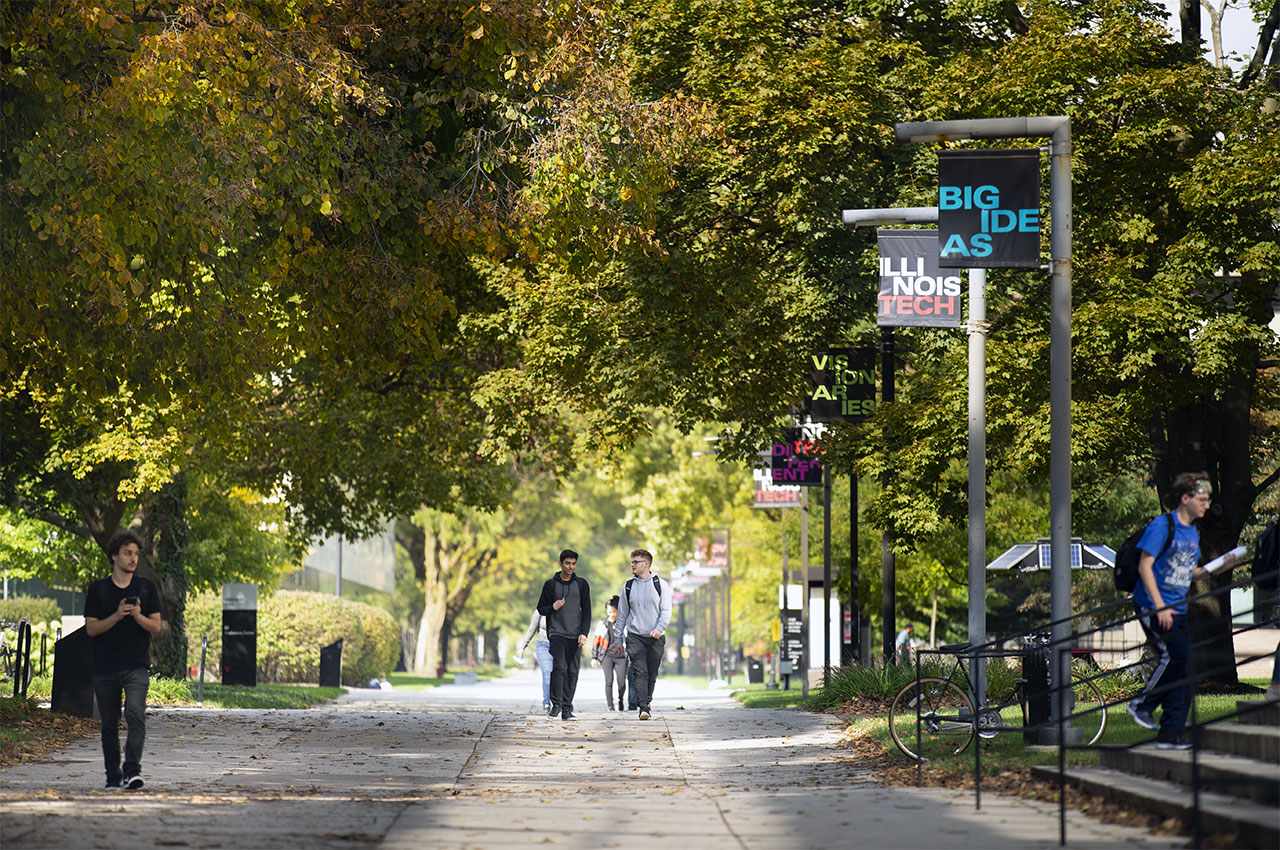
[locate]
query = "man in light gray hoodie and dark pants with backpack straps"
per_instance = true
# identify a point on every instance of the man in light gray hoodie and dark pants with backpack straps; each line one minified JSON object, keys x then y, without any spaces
{"x":644,"y":611}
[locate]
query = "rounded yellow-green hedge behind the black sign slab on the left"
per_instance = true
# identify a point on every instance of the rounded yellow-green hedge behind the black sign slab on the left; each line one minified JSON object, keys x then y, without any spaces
{"x":292,"y":627}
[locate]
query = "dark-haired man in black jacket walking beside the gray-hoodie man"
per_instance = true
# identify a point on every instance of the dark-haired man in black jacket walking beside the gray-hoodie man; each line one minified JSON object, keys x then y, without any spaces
{"x":566,"y":602}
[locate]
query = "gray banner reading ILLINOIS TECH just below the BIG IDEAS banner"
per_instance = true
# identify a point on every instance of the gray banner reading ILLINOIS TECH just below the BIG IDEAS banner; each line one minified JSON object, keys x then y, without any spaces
{"x":916,"y":293}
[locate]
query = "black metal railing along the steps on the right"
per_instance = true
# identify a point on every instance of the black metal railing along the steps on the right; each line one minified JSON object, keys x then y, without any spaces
{"x":1121,"y":614}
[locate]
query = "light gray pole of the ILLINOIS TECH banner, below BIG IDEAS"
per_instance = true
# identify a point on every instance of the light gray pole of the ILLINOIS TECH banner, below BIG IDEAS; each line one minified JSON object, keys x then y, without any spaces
{"x":979,"y":472}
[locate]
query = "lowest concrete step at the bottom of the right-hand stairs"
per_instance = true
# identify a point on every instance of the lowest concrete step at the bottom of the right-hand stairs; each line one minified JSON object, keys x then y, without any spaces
{"x":1252,"y":824}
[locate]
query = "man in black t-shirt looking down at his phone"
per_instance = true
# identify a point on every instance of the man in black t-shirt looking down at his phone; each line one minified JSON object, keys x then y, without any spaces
{"x":122,"y":613}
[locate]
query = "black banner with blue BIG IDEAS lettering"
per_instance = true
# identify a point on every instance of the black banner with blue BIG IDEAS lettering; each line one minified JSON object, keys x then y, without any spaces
{"x":989,"y":209}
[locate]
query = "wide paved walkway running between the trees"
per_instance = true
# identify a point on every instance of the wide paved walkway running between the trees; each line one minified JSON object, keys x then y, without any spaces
{"x":481,"y":767}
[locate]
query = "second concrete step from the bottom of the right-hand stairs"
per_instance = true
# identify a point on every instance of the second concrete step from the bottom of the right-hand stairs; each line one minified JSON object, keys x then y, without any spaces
{"x":1235,"y":775}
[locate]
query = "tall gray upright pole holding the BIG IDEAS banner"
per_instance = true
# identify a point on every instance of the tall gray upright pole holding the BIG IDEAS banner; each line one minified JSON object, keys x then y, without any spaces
{"x":1060,"y":401}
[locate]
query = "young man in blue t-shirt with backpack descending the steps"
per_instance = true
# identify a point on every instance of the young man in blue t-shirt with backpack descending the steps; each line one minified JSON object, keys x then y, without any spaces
{"x":1160,"y":600}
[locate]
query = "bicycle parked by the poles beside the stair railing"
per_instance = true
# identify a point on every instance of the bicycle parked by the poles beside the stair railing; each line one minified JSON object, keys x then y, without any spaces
{"x":948,"y":719}
